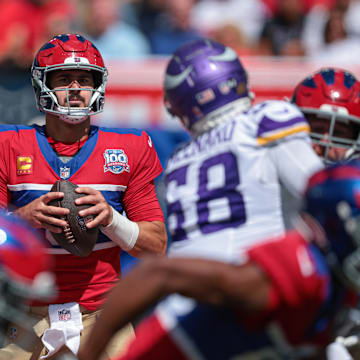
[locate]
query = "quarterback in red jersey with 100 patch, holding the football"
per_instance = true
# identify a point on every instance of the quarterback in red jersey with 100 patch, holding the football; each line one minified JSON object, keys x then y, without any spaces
{"x":114,"y":168}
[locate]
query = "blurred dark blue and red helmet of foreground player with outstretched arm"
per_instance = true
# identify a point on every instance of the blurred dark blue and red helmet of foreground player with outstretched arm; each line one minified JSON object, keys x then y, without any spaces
{"x":332,"y":198}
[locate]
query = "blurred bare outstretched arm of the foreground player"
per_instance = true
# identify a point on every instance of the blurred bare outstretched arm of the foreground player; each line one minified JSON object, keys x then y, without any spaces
{"x":213,"y":282}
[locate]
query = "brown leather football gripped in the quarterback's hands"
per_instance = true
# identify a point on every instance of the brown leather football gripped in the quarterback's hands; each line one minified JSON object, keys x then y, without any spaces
{"x":76,"y":237}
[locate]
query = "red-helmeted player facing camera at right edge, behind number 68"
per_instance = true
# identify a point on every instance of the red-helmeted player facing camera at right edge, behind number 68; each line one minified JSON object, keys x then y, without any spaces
{"x":330,"y":101}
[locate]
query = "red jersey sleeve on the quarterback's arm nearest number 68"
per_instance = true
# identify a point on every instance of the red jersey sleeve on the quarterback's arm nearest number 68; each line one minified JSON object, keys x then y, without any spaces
{"x":140,"y":200}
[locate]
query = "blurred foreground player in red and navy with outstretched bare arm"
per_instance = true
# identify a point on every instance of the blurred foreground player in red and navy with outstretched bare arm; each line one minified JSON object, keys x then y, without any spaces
{"x":279,"y":299}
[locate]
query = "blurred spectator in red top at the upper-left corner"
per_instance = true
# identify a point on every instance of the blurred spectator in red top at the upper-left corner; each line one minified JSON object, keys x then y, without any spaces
{"x":25,"y":24}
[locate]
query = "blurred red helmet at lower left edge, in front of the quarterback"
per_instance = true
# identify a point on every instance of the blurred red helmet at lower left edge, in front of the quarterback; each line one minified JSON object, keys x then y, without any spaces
{"x":25,"y":271}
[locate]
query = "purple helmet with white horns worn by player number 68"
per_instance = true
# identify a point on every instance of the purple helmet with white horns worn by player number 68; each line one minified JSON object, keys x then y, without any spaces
{"x":201,"y":77}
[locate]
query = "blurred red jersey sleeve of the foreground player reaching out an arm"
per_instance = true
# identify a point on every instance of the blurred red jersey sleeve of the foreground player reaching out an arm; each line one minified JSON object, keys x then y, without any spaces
{"x":299,"y":284}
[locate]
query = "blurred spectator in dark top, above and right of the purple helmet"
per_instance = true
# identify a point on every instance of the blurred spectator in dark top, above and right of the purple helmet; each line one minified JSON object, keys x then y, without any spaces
{"x":281,"y":34}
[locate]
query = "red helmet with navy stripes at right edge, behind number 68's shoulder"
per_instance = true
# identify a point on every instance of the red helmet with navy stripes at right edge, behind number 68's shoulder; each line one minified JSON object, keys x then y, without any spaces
{"x":332,"y":94}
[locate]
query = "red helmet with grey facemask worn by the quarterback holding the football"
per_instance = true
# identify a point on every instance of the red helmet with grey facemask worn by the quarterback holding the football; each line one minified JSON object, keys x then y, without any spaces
{"x":68,"y":52}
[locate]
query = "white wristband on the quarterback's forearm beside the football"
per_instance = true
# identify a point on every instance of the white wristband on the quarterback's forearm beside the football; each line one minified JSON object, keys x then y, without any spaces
{"x":122,"y":231}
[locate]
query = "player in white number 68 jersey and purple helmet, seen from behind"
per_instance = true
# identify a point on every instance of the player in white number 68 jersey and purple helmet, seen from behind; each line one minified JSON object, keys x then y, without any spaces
{"x":224,"y":186}
